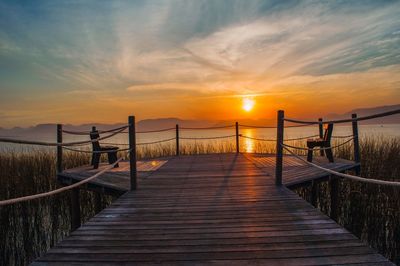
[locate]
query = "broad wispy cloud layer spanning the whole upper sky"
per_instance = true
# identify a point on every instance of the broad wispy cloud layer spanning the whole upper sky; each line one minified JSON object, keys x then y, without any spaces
{"x":146,"y":43}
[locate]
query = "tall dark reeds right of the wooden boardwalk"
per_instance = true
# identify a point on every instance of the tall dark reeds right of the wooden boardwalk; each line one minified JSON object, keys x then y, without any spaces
{"x":369,"y":211}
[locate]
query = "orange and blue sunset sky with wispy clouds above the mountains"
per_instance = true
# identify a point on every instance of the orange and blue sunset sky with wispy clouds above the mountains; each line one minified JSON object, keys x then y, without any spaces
{"x":99,"y":61}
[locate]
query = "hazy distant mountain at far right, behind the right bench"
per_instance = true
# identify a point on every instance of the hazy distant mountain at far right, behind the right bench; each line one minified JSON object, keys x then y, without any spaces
{"x":393,"y":119}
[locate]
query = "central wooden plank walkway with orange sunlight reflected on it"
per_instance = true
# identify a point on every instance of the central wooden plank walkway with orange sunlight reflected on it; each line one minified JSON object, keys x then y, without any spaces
{"x":221,"y":209}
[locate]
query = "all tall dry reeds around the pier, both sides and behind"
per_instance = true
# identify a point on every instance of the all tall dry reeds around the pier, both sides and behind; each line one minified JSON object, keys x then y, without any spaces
{"x":28,"y":229}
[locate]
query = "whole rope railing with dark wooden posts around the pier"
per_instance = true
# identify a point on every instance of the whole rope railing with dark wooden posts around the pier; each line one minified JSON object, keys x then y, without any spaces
{"x":130,"y":129}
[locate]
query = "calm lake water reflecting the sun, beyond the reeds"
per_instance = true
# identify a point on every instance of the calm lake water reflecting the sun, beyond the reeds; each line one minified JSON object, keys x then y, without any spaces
{"x":247,"y":145}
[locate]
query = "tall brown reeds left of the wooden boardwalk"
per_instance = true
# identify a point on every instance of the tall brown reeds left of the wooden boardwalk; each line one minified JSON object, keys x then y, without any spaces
{"x":29,"y":228}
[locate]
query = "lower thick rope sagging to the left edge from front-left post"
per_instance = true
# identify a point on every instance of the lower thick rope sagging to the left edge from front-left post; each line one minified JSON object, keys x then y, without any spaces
{"x":57,"y":191}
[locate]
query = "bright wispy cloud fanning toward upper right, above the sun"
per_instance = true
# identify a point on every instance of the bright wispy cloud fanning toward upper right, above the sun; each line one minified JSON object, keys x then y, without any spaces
{"x":294,"y":42}
